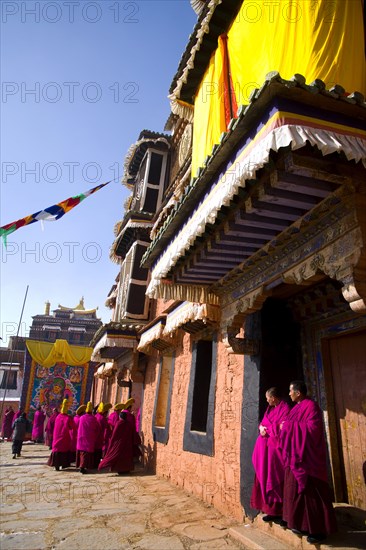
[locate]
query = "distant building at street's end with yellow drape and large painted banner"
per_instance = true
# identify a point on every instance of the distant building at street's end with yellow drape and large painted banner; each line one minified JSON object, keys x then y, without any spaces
{"x":57,"y":358}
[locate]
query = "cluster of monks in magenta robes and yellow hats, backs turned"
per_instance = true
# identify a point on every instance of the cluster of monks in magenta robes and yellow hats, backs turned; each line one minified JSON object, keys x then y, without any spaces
{"x":95,"y":441}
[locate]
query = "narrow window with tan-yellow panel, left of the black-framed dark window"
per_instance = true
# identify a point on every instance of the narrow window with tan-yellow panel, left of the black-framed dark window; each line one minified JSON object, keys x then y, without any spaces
{"x":161,"y":415}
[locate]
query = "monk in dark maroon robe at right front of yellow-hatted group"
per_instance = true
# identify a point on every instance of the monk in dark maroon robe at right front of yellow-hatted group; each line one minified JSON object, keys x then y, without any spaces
{"x":119,"y":457}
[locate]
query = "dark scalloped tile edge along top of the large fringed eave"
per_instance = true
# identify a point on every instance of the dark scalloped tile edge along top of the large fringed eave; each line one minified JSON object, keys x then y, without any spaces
{"x":311,"y":96}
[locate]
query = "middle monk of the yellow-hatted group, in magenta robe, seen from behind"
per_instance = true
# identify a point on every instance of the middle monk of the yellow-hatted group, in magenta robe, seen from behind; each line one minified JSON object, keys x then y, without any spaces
{"x":88,"y":432}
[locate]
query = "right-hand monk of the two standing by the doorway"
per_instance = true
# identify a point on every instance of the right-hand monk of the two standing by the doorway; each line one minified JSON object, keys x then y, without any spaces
{"x":307,"y":503}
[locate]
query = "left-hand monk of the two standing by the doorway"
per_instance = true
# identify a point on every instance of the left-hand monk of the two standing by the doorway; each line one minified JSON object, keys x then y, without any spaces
{"x":267,"y":493}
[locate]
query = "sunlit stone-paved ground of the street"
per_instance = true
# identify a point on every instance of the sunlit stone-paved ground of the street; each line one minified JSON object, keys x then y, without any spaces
{"x":45,"y":509}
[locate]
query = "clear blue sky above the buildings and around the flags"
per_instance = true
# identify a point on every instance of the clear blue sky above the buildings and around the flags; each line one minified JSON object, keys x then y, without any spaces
{"x":80,"y":80}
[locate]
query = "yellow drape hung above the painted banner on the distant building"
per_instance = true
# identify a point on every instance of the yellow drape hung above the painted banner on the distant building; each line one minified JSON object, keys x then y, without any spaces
{"x":47,"y":354}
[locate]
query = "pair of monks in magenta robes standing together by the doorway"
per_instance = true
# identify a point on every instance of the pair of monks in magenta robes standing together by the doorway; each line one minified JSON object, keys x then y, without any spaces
{"x":290,"y":464}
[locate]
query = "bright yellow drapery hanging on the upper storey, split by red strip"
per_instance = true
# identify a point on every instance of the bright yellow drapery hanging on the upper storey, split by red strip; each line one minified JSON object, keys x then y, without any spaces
{"x":317,"y":38}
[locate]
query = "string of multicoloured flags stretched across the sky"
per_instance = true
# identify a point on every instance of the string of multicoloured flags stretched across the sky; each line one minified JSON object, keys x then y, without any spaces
{"x":52,"y":213}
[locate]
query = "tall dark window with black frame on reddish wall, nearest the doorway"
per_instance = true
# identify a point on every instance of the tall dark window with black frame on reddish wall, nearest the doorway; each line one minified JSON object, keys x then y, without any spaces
{"x":198,"y":432}
